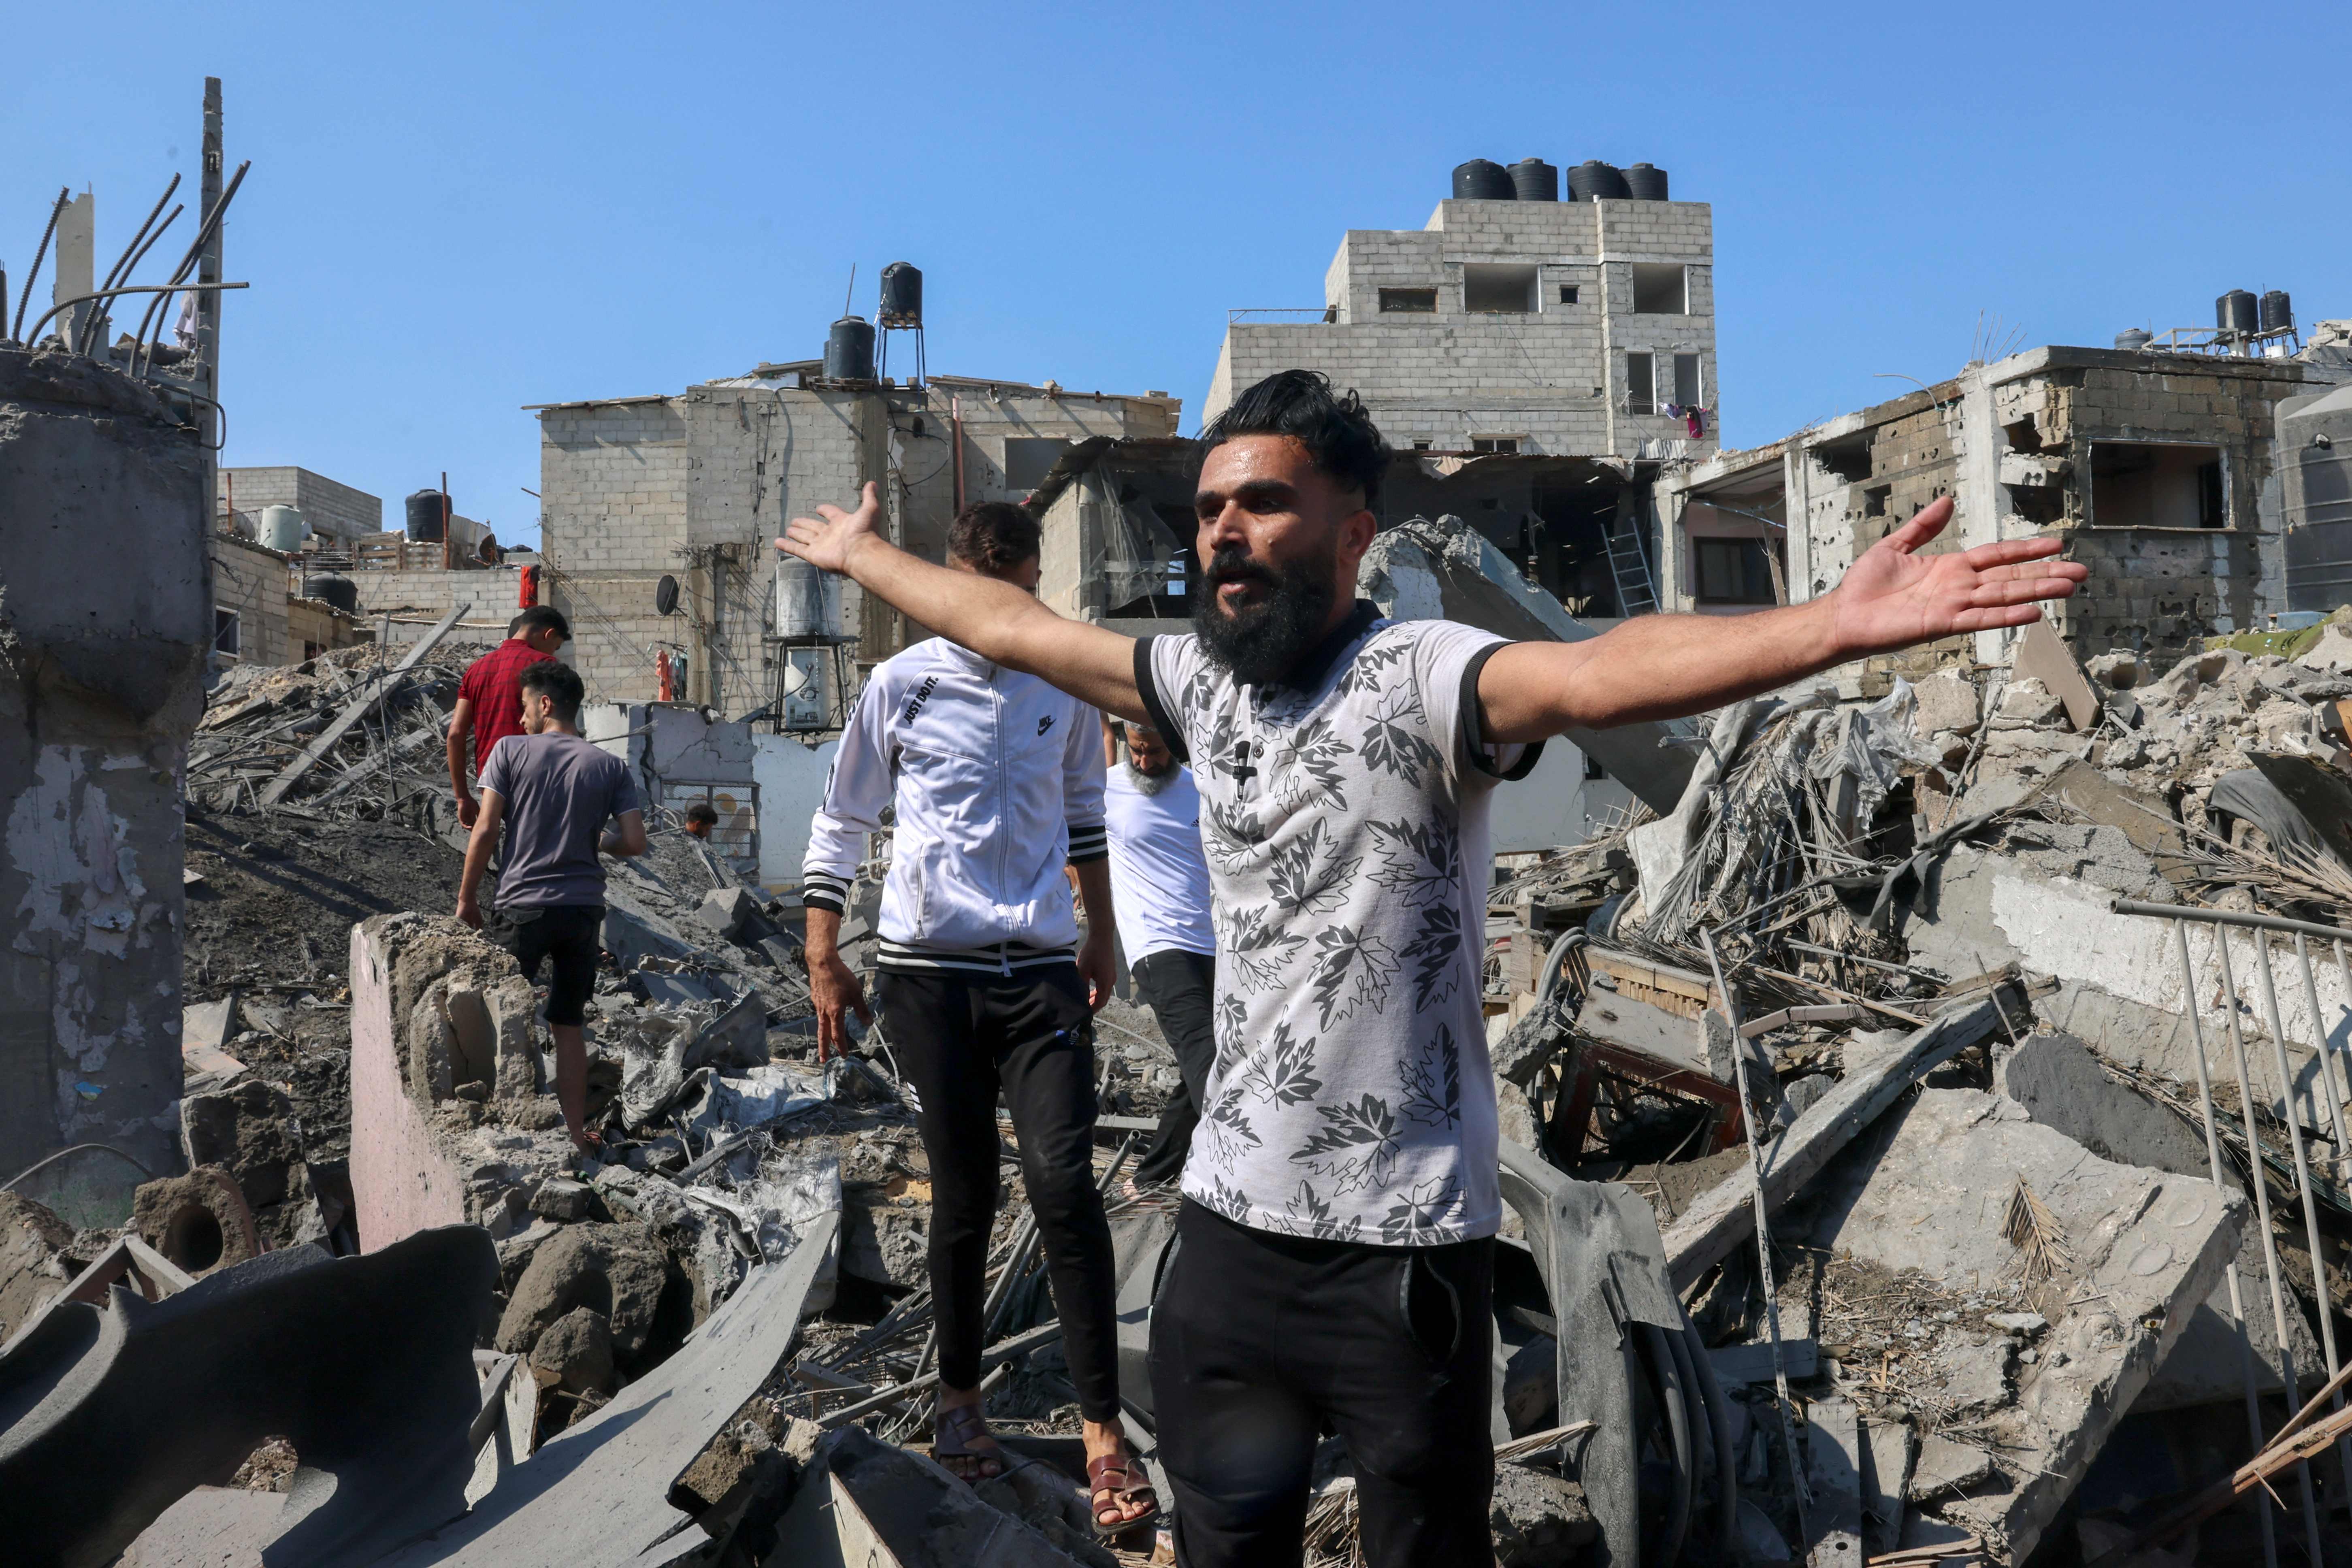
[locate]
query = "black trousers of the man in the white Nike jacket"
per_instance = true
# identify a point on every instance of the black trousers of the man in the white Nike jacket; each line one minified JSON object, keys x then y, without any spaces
{"x":961,"y":1038}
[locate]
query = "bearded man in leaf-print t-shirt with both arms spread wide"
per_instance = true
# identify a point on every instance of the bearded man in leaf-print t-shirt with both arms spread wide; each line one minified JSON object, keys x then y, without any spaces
{"x":1335,"y":1261}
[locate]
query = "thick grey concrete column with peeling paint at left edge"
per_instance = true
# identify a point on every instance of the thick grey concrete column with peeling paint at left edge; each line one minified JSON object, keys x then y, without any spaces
{"x":105,"y":629}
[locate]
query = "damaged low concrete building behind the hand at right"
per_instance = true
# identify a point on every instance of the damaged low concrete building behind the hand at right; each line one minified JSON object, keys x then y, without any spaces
{"x":2158,"y":469}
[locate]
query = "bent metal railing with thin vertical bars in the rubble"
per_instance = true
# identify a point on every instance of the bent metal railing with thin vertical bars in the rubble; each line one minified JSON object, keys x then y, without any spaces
{"x":2332,"y":1092}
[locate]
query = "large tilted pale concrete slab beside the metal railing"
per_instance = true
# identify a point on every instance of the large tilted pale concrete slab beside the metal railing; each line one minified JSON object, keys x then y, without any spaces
{"x":1927,"y":1191}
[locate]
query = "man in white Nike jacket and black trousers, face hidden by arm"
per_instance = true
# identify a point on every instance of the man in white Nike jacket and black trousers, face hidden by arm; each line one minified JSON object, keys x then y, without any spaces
{"x":996,"y":782}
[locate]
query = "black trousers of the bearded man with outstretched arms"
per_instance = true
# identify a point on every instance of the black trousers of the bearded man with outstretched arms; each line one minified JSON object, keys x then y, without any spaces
{"x":1259,"y":1341}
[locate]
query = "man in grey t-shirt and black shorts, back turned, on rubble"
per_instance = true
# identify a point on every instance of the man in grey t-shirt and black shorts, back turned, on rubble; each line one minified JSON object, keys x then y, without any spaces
{"x":554,"y":796}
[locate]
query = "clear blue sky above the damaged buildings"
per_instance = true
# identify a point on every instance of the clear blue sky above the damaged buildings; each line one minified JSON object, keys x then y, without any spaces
{"x":457,"y":210}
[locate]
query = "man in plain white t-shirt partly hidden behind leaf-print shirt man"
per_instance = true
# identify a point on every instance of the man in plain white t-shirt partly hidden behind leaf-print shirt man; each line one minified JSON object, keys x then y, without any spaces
{"x":1161,"y":904}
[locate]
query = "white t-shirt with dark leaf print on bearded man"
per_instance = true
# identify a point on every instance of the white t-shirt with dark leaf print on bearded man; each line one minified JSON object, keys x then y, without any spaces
{"x":1344,"y":817}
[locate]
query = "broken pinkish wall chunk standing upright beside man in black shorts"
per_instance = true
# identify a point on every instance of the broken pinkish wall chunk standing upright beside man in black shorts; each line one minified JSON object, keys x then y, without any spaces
{"x":453,"y":1120}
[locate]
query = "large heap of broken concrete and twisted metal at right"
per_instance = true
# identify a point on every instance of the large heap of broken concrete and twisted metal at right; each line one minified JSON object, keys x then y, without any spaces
{"x":2003,"y":1257}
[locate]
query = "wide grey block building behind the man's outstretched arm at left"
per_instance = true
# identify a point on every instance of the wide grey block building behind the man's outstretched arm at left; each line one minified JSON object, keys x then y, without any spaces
{"x":697,"y":485}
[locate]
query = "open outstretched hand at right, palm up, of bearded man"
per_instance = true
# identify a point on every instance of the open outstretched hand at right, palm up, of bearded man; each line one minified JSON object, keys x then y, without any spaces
{"x":1895,"y":598}
